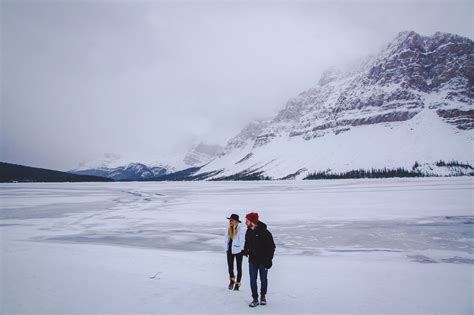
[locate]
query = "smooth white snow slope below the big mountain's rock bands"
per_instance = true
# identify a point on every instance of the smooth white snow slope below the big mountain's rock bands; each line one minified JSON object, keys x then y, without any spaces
{"x":426,"y":139}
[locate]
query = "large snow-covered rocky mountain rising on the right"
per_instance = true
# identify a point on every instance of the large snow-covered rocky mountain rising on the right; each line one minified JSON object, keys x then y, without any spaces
{"x":410,"y":106}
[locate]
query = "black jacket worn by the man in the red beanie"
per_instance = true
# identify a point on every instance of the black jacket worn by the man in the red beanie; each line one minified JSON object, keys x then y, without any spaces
{"x":259,"y":245}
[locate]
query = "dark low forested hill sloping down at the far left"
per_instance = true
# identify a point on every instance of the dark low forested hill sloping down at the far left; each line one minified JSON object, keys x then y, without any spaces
{"x":10,"y":173}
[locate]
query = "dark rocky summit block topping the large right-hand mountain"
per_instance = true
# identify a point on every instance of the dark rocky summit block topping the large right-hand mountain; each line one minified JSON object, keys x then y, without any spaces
{"x":427,"y":64}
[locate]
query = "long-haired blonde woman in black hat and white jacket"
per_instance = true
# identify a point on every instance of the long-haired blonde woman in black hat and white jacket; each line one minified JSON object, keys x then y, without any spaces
{"x":234,"y":244}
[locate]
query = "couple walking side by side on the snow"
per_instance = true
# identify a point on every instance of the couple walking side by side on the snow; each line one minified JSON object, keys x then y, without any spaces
{"x":257,"y":244}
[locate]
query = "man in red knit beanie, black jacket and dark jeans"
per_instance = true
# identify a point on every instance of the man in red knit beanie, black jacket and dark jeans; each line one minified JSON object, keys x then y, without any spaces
{"x":259,"y":247}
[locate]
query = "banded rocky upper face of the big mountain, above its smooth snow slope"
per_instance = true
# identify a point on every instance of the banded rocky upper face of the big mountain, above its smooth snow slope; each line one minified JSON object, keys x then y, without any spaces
{"x":394,"y":86}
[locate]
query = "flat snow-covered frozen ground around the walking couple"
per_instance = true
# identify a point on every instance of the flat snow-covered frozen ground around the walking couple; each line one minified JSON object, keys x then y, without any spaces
{"x":344,"y":246}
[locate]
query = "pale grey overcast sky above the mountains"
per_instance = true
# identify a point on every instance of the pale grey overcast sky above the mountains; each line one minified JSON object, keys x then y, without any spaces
{"x":144,"y":79}
